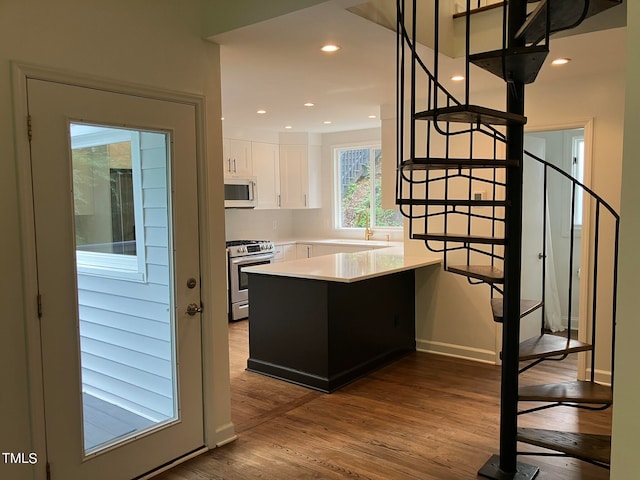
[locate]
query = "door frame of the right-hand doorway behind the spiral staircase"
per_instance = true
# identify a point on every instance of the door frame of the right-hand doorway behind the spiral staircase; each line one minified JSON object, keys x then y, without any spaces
{"x":585,"y":258}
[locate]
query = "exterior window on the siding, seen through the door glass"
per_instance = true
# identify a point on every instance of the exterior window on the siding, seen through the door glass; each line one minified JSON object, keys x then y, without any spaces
{"x":107,"y":193}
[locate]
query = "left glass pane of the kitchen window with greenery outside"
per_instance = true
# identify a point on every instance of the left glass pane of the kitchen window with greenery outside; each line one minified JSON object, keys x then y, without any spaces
{"x":355,"y":186}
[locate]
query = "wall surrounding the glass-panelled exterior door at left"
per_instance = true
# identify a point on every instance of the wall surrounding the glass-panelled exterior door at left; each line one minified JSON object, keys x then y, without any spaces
{"x":149,"y":42}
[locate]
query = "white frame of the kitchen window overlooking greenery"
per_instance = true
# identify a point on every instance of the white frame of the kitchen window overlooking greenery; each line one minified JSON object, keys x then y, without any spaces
{"x":337,"y":200}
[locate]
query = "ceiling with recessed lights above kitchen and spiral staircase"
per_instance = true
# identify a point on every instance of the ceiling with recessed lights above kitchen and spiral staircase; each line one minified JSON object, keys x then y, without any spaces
{"x":277,"y":65}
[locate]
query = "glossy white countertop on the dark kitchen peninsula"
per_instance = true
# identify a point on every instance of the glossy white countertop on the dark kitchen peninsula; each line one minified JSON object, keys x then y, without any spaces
{"x":347,"y":267}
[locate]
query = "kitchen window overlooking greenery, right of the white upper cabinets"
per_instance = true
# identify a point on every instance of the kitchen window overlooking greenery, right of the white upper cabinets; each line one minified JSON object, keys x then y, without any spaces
{"x":359,"y":189}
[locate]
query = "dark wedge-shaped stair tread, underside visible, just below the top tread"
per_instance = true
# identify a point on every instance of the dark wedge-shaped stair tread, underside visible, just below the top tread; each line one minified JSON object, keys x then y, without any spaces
{"x":520,"y":64}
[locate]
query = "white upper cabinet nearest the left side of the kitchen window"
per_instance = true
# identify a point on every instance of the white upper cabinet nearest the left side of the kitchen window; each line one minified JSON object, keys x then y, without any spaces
{"x":300,"y":176}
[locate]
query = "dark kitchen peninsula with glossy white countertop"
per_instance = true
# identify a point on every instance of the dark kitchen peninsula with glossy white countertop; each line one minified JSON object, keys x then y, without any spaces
{"x":324,"y":321}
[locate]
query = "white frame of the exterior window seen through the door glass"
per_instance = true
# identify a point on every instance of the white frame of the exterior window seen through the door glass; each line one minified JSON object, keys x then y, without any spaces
{"x":114,"y":265}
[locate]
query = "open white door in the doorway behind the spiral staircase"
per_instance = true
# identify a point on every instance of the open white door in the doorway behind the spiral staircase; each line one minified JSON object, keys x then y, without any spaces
{"x":532,"y":234}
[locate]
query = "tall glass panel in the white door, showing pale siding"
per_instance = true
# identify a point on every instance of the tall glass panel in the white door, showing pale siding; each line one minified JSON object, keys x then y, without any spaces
{"x":124,"y":278}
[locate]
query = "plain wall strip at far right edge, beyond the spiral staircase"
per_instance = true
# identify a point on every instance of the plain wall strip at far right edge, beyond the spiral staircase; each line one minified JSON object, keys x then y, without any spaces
{"x":625,"y":461}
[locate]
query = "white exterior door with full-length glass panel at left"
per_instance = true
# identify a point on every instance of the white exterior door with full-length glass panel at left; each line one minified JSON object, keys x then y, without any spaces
{"x":116,"y":221}
